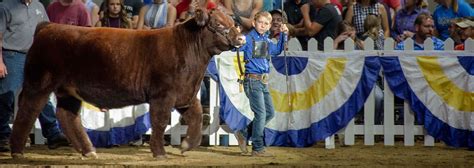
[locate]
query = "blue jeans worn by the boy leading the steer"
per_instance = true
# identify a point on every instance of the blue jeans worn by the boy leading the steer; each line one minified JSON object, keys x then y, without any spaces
{"x":262,"y":107}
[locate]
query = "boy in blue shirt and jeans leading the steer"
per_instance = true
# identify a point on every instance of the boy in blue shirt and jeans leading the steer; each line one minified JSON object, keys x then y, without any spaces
{"x":257,"y":52}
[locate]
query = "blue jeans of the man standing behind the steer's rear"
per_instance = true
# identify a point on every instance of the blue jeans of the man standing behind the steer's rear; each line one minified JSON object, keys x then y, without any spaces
{"x":9,"y":87}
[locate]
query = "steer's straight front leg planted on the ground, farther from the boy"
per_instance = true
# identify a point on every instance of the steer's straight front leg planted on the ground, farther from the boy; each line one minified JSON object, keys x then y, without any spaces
{"x":160,"y":113}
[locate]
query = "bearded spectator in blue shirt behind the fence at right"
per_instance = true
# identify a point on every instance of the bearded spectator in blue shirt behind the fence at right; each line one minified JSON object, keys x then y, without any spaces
{"x":424,"y":28}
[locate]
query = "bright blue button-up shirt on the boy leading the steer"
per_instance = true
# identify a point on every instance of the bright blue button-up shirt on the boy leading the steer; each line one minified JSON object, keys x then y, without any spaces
{"x":260,"y":65}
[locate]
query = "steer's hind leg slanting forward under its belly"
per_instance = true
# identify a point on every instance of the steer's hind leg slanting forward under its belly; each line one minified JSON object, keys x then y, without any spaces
{"x":70,"y":120}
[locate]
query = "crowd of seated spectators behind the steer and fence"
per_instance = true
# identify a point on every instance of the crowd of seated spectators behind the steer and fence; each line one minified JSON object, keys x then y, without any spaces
{"x":306,"y":19}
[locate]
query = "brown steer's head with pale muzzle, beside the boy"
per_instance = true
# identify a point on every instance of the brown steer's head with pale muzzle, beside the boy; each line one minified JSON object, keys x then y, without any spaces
{"x":222,"y":28}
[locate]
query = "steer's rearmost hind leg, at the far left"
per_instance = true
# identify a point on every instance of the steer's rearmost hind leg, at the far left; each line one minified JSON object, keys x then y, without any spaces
{"x":31,"y":102}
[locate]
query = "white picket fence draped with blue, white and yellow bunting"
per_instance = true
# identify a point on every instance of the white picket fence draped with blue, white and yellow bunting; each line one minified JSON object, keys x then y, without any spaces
{"x":368,"y":129}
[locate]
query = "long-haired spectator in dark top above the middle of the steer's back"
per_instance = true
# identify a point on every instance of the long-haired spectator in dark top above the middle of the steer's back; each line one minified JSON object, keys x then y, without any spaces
{"x":115,"y":15}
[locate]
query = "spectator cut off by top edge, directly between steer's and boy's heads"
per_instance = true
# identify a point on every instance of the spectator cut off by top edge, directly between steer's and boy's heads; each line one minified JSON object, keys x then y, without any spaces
{"x":244,"y":11}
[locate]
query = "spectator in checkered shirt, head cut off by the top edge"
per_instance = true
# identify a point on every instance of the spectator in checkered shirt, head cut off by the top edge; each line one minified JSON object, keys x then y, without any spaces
{"x":357,"y":13}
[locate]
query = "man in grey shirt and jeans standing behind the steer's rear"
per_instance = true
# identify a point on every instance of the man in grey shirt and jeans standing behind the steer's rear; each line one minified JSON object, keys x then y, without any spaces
{"x":18,"y":20}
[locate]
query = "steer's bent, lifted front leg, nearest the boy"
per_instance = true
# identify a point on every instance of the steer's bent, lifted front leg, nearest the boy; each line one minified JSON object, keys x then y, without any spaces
{"x":193,"y":117}
